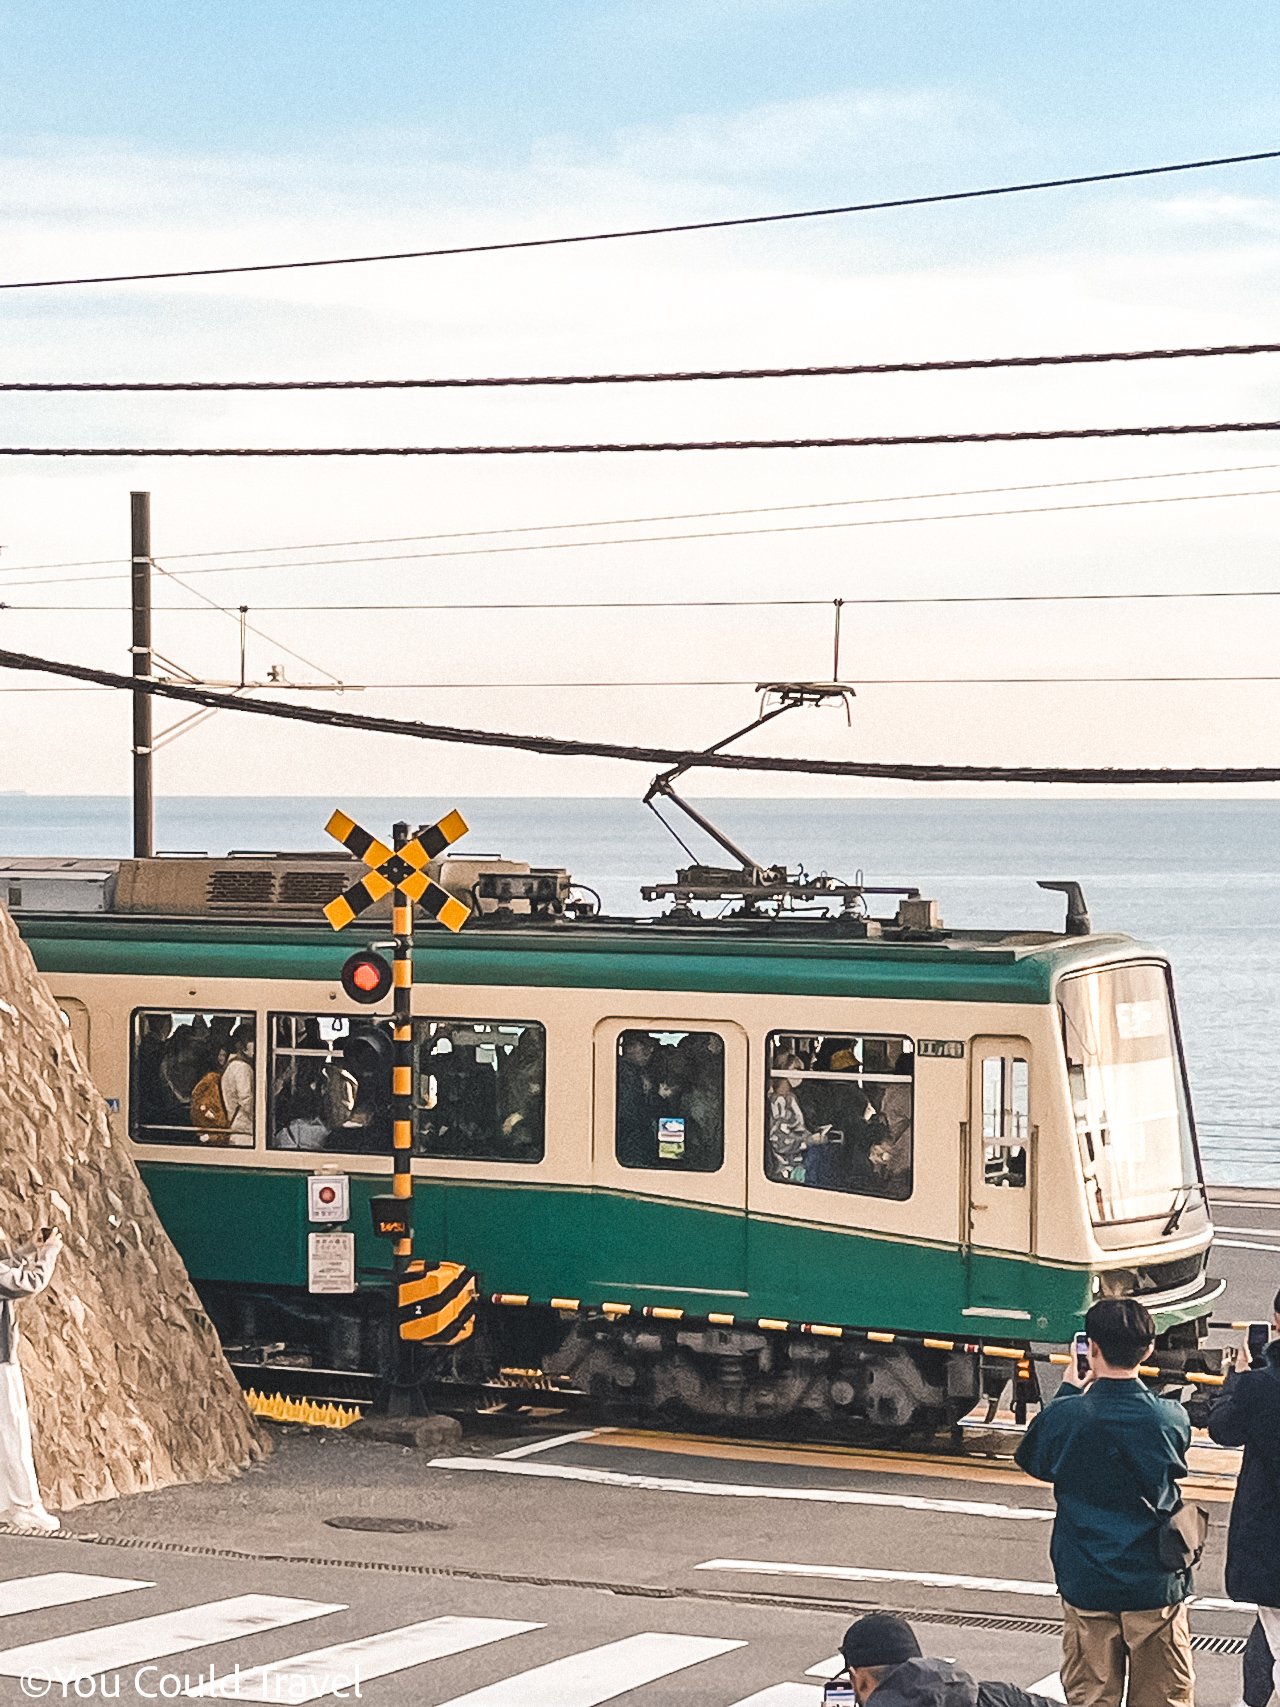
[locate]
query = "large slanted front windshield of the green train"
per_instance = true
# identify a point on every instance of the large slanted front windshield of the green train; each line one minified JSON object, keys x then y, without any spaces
{"x":1129,"y":1093}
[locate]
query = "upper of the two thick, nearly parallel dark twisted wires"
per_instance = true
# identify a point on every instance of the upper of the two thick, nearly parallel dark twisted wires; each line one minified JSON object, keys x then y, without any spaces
{"x":494,"y":382}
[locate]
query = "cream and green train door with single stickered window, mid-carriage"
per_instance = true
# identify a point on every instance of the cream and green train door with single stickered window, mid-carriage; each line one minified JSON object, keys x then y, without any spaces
{"x":670,"y":1162}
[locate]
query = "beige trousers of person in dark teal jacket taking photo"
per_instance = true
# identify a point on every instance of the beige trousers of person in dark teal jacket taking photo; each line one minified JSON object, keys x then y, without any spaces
{"x":1155,"y":1648}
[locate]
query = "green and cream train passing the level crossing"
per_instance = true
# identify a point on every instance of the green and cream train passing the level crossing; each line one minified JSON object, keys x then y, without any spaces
{"x":678,"y":1151}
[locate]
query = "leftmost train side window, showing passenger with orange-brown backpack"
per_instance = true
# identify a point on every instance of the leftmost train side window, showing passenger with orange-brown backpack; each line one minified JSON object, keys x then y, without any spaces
{"x":192,"y":1078}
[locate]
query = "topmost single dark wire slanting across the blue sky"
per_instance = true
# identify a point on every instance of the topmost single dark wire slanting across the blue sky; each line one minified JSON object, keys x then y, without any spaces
{"x":648,"y":231}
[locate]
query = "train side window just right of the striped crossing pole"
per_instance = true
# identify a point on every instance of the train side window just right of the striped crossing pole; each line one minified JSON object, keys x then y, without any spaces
{"x":482,"y":1090}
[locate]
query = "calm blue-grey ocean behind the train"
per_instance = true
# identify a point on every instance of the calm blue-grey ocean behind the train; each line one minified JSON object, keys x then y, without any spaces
{"x":1199,"y":880}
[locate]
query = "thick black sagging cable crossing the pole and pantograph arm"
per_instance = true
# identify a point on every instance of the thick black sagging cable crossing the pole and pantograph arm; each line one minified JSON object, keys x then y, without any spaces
{"x":561,"y":747}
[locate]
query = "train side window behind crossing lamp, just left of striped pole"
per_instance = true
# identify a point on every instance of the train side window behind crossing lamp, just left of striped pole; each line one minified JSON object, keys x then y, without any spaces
{"x":330,"y":1087}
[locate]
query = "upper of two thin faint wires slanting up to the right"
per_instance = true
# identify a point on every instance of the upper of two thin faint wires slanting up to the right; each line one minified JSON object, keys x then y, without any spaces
{"x":680,"y":516}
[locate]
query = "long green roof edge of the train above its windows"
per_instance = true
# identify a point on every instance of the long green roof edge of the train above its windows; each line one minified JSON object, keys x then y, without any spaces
{"x":767,"y":957}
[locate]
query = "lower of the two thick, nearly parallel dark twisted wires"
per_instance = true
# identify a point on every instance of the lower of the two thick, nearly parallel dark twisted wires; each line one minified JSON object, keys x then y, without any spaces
{"x":868,"y":441}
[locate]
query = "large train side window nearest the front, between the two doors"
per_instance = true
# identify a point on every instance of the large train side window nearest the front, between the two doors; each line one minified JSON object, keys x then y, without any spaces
{"x":839,"y":1114}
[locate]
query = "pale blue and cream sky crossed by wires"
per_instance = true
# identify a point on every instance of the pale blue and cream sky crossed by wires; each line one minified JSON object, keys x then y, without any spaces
{"x":141,"y":137}
